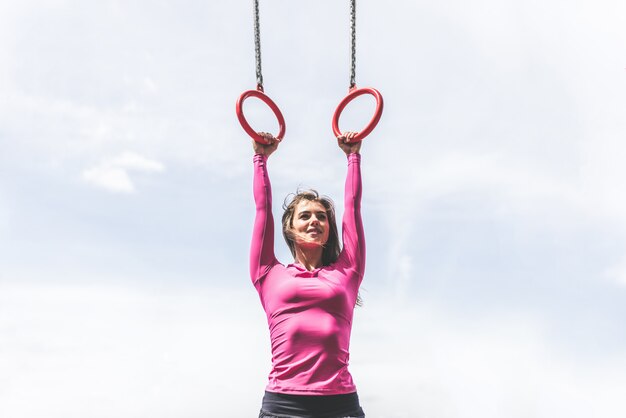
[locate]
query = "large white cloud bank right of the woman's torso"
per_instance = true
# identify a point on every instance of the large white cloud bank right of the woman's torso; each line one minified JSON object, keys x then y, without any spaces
{"x":421,"y":360}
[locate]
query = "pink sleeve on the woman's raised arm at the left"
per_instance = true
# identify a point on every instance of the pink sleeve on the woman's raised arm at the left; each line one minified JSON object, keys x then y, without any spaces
{"x":262,"y":249}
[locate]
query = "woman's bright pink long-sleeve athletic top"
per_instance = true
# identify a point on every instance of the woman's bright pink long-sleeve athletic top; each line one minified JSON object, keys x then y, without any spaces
{"x":309,"y":313}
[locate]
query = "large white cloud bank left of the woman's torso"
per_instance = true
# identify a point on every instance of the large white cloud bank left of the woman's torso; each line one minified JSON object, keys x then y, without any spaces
{"x":114,"y":351}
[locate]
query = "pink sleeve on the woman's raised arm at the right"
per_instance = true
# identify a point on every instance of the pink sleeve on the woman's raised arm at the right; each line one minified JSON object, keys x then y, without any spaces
{"x":352,"y":227}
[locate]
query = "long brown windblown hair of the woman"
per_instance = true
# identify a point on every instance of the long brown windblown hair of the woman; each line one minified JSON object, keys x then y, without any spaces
{"x":332,"y":248}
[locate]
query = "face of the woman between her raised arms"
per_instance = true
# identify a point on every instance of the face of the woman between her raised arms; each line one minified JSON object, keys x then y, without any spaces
{"x":310,"y":223}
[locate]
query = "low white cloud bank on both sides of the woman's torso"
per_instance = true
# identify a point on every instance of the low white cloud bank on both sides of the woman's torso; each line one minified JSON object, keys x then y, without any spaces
{"x":133,"y":352}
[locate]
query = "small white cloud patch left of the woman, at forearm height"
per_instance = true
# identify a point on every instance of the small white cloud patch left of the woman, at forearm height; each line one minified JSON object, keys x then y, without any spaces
{"x":113,"y":174}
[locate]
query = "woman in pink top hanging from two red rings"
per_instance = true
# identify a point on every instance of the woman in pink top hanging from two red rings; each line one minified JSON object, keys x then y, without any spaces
{"x":309,"y":304}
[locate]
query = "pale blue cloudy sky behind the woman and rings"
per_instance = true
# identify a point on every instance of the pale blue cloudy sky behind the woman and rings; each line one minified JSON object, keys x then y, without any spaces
{"x":494,"y":204}
